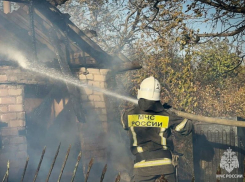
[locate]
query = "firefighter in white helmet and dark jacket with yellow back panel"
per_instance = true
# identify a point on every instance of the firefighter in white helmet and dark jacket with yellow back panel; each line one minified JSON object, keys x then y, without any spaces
{"x":149,"y":125}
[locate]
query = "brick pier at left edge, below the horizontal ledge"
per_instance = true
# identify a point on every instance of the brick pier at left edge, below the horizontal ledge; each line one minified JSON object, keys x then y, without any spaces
{"x":12,"y":116}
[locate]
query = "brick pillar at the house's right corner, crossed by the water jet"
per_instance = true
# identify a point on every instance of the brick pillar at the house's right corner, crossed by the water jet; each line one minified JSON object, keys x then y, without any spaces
{"x":93,"y":139}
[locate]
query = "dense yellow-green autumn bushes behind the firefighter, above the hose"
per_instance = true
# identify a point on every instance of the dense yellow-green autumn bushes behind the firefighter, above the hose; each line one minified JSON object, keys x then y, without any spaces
{"x":201,"y":80}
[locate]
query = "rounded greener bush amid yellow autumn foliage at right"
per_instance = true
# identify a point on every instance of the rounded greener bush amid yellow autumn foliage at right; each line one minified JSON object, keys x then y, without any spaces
{"x":215,"y":61}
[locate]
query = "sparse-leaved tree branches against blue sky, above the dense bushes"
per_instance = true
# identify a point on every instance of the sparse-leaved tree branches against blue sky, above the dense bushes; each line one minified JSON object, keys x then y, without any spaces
{"x":120,"y":25}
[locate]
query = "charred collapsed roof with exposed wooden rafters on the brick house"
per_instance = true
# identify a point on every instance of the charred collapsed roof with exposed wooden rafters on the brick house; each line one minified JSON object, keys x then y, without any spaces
{"x":15,"y":29}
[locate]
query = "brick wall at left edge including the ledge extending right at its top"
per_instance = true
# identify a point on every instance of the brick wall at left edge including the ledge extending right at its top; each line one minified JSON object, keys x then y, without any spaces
{"x":13,"y":145}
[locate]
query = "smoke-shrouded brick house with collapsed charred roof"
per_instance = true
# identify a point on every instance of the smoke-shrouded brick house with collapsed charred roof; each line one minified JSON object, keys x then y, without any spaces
{"x":37,"y":110}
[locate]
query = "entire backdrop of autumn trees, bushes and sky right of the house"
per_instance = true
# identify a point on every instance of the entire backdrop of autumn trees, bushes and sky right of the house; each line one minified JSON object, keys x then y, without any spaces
{"x":207,"y":80}
